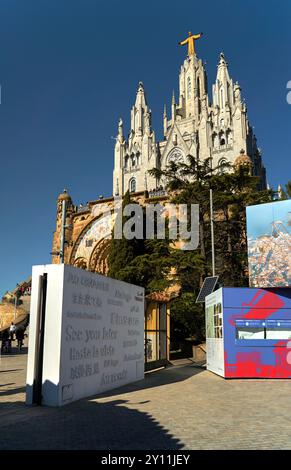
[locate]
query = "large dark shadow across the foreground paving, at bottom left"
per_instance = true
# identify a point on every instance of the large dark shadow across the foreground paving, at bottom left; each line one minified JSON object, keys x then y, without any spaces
{"x":87,"y":425}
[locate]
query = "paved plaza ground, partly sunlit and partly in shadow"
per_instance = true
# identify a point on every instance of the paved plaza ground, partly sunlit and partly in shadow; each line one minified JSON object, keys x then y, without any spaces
{"x":180,"y":407}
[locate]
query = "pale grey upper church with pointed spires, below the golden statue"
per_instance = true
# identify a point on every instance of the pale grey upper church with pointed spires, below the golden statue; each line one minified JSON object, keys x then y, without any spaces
{"x":218,"y":131}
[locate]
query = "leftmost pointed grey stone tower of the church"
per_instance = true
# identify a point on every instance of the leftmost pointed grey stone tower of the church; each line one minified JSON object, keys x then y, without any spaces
{"x":135,"y":156}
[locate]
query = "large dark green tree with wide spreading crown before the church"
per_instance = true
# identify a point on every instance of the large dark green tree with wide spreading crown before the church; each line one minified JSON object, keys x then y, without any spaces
{"x":190,"y":183}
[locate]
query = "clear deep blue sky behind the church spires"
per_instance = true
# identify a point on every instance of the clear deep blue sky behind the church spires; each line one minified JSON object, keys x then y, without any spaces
{"x":70,"y":68}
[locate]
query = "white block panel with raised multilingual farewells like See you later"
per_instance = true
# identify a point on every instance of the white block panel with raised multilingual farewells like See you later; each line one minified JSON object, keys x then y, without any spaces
{"x":93,"y":334}
